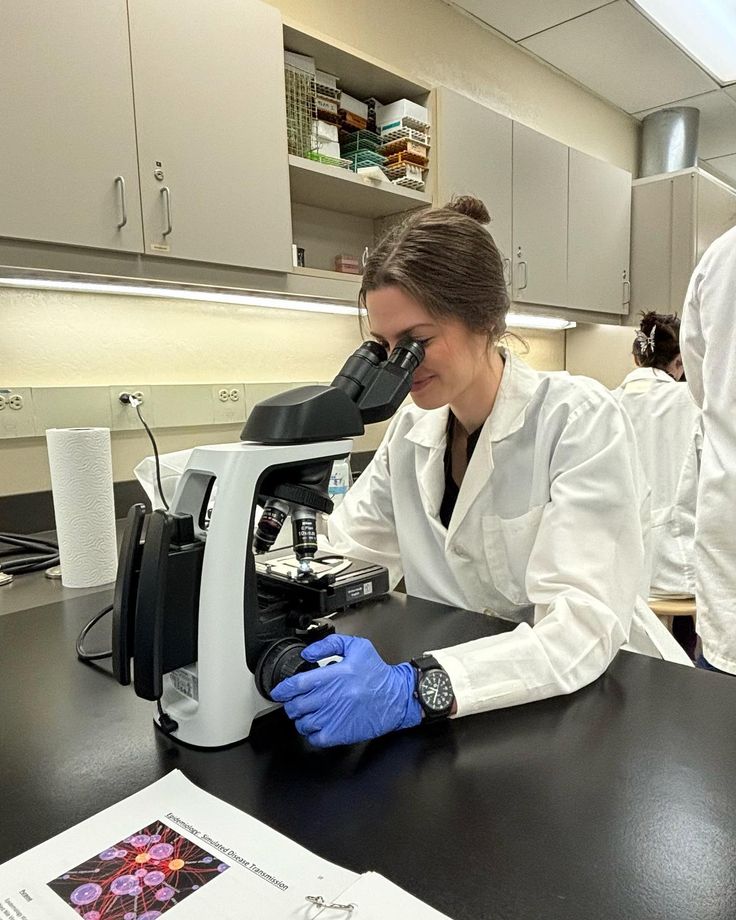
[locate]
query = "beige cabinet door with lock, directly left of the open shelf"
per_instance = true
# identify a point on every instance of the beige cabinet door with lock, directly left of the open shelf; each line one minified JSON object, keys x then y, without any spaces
{"x":211,"y":124}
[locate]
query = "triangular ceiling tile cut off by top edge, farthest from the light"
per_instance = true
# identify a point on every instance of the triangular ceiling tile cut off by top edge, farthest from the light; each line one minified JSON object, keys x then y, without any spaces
{"x":521,"y":18}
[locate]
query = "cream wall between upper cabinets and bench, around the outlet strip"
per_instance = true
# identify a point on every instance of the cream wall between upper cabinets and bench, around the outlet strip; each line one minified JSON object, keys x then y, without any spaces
{"x":63,"y":339}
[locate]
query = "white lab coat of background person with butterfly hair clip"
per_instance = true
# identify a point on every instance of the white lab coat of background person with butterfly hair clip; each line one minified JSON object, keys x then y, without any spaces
{"x":666,"y":423}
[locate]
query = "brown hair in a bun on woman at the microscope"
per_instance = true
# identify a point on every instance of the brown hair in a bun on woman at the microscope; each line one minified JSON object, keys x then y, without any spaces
{"x":445,"y":260}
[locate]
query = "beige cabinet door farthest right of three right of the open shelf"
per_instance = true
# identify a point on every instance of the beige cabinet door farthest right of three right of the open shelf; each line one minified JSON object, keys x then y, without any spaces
{"x":599,"y":222}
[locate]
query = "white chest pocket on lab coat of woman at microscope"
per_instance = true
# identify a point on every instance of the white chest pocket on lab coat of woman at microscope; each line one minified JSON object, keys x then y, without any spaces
{"x":508,"y":546}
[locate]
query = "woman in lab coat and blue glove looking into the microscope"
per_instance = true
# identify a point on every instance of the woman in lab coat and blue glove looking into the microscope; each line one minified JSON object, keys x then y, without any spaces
{"x":502,"y":490}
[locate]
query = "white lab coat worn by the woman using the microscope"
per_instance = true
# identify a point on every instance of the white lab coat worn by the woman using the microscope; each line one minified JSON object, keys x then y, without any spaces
{"x":546,"y":531}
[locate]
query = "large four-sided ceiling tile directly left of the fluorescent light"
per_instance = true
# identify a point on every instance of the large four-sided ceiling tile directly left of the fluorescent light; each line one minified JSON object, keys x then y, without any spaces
{"x":620,"y":55}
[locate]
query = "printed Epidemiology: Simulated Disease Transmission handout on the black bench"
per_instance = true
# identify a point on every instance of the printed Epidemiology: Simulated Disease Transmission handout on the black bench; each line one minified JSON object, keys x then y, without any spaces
{"x":173,"y":847}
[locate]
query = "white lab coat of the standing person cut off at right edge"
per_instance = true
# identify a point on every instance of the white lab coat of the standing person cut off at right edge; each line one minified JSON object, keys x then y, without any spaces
{"x":708,"y":343}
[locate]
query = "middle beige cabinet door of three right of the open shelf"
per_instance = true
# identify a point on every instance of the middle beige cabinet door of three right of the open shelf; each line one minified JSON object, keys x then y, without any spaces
{"x":540,"y":167}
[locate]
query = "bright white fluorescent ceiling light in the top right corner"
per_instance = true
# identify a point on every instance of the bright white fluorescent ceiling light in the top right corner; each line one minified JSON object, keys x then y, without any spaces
{"x":706,"y":30}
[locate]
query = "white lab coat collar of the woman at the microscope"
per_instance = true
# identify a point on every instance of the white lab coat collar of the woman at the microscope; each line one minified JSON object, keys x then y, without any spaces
{"x":518,"y":384}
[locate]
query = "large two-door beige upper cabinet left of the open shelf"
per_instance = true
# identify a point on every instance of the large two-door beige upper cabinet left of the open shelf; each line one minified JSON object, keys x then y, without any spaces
{"x":191,"y":94}
